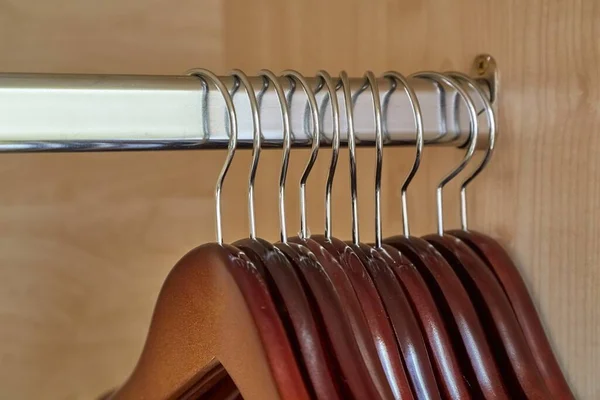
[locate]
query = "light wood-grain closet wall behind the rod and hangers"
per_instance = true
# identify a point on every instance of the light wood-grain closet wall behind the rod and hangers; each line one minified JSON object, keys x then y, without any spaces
{"x":87,"y":239}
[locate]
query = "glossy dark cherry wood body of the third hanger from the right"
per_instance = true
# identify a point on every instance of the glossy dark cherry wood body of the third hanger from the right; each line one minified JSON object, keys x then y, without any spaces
{"x":459,"y":315}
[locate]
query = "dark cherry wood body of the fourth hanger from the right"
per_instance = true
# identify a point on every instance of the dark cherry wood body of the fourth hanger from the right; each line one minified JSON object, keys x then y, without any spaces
{"x":444,"y":359}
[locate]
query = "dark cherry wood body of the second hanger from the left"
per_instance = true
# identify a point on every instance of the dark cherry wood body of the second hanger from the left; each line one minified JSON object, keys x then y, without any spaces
{"x":315,"y":357}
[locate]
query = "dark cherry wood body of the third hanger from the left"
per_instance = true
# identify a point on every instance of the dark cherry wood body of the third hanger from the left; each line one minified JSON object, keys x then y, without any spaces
{"x":357,"y":361}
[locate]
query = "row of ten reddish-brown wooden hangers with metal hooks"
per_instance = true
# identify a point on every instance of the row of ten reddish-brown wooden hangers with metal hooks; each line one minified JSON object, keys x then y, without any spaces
{"x":445,"y":316}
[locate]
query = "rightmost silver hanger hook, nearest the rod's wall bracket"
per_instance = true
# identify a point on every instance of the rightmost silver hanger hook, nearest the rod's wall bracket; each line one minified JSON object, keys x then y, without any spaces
{"x":493,"y":126}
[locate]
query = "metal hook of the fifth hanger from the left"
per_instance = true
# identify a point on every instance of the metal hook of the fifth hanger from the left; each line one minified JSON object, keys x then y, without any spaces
{"x":325,"y":79}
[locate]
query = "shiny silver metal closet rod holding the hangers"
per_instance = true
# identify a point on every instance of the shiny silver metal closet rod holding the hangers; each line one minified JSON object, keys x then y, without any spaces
{"x":76,"y":113}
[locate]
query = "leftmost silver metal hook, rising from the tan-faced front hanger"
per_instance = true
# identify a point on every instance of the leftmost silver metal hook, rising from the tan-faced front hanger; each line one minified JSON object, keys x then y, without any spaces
{"x":204,"y":74}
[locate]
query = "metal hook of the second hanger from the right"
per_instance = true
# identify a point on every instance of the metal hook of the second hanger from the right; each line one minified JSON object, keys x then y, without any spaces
{"x":474,"y":128}
